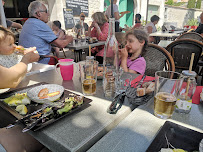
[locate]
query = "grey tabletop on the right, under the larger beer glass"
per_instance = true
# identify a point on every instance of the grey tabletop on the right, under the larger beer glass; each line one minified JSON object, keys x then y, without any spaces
{"x":140,"y":127}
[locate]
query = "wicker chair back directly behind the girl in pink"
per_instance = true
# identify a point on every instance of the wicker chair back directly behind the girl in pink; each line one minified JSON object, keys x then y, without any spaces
{"x":157,"y":59}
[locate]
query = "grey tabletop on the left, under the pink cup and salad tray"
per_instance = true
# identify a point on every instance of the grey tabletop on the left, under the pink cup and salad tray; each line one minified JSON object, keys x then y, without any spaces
{"x":83,"y":128}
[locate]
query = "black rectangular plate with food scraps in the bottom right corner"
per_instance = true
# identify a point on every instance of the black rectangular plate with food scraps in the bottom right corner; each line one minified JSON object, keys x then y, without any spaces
{"x":175,"y":138}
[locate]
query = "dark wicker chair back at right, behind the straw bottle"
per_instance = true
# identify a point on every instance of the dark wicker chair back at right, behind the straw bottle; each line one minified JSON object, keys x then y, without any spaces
{"x":181,"y":51}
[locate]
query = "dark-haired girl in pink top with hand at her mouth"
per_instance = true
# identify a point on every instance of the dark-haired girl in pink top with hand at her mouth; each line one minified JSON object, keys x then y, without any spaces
{"x":131,"y":56}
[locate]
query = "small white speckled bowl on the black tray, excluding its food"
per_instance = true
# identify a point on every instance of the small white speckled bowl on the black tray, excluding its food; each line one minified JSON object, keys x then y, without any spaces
{"x":33,"y":93}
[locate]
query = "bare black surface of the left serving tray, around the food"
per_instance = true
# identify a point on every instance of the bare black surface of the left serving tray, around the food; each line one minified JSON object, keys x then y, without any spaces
{"x":35,"y":106}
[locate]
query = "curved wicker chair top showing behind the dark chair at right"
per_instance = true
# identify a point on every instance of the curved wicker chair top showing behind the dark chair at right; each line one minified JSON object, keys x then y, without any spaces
{"x":191,"y":35}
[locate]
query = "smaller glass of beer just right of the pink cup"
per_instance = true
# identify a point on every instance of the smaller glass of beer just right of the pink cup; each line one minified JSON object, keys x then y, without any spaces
{"x":88,"y":74}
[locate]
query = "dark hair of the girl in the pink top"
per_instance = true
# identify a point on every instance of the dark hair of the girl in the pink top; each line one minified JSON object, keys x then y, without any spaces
{"x":141,"y":35}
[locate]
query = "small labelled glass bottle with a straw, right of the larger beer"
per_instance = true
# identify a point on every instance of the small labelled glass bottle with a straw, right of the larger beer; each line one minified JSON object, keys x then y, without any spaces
{"x":186,"y":90}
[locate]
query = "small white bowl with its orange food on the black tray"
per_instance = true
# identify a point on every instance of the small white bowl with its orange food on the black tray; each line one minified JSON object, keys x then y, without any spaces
{"x":45,"y":93}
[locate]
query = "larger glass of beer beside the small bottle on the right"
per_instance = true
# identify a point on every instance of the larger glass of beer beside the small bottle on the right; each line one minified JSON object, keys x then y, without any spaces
{"x":166,"y":90}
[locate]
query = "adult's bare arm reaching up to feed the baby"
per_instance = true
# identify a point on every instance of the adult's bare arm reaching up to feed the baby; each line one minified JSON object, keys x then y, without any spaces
{"x":11,"y":77}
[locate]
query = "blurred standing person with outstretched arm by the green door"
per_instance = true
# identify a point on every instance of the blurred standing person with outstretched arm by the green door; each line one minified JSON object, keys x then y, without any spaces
{"x":117,"y":15}
